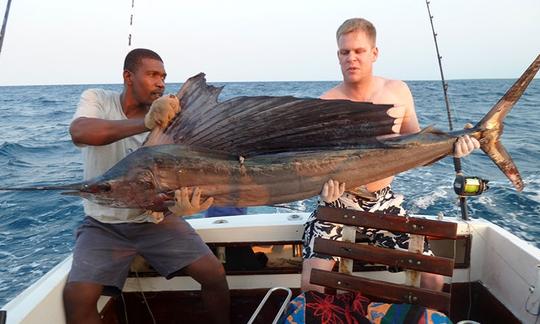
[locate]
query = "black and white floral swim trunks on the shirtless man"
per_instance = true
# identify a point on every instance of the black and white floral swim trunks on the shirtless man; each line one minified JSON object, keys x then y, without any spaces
{"x":384,"y":200}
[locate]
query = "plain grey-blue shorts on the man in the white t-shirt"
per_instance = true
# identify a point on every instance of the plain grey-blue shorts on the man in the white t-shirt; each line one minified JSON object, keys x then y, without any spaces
{"x":104,"y":252}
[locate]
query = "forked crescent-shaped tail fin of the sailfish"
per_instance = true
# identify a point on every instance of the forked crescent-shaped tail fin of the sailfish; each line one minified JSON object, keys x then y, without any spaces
{"x":491,"y":126}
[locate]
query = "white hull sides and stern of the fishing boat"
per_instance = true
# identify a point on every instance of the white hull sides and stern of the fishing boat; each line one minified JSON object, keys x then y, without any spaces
{"x":506,"y":265}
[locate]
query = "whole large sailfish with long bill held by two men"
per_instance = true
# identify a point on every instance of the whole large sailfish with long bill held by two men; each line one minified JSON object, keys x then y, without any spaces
{"x":251,"y":151}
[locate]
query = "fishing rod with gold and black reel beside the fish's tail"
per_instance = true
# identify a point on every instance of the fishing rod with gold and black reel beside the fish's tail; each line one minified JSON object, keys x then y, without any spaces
{"x":463,"y":186}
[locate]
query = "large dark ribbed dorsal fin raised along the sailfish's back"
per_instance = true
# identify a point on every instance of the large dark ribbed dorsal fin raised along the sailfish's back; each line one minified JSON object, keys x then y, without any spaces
{"x":254,"y":125}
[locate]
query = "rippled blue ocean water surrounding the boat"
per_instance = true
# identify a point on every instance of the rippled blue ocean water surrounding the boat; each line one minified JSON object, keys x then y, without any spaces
{"x":36,"y":228}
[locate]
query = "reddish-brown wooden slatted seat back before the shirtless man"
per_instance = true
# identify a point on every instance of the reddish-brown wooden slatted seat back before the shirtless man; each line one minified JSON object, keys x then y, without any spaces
{"x":413,"y":260}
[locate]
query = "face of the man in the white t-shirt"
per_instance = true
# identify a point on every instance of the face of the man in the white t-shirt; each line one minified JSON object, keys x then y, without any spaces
{"x":148,"y":81}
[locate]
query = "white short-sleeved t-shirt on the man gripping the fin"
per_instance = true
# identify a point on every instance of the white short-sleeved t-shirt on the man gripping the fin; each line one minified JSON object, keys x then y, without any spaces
{"x":104,"y":104}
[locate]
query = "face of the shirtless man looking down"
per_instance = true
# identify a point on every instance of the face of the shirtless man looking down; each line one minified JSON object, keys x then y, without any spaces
{"x":356,"y":54}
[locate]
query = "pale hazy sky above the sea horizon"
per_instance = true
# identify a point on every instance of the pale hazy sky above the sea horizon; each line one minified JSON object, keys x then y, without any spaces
{"x":85,"y":42}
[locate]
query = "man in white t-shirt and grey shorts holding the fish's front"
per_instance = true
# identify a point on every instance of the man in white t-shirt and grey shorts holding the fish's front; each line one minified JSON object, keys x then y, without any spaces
{"x":108,"y":126}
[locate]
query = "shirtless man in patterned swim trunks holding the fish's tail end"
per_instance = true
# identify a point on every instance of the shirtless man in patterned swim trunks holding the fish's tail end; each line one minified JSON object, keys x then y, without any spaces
{"x":357,"y":51}
